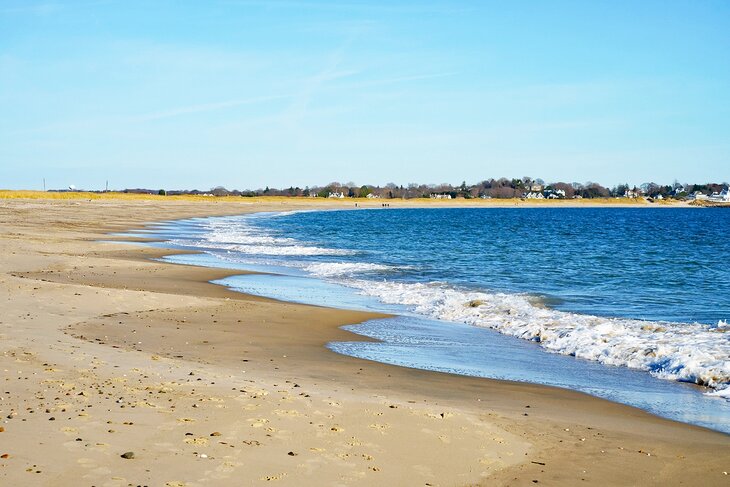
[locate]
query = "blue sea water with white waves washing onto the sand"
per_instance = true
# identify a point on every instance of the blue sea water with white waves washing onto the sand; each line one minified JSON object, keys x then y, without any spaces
{"x":630,"y":304}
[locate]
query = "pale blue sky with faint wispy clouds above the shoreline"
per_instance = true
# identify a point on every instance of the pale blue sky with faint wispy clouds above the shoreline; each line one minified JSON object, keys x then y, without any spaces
{"x":248,"y":94}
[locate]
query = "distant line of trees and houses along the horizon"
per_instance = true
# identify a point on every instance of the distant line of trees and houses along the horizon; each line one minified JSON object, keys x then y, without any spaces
{"x":489,"y":188}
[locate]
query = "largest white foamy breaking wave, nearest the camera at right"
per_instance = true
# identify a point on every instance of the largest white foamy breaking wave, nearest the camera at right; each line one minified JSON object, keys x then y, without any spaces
{"x":686,"y":352}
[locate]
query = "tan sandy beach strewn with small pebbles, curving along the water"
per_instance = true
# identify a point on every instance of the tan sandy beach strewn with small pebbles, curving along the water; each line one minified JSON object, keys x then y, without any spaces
{"x":119,"y":370}
